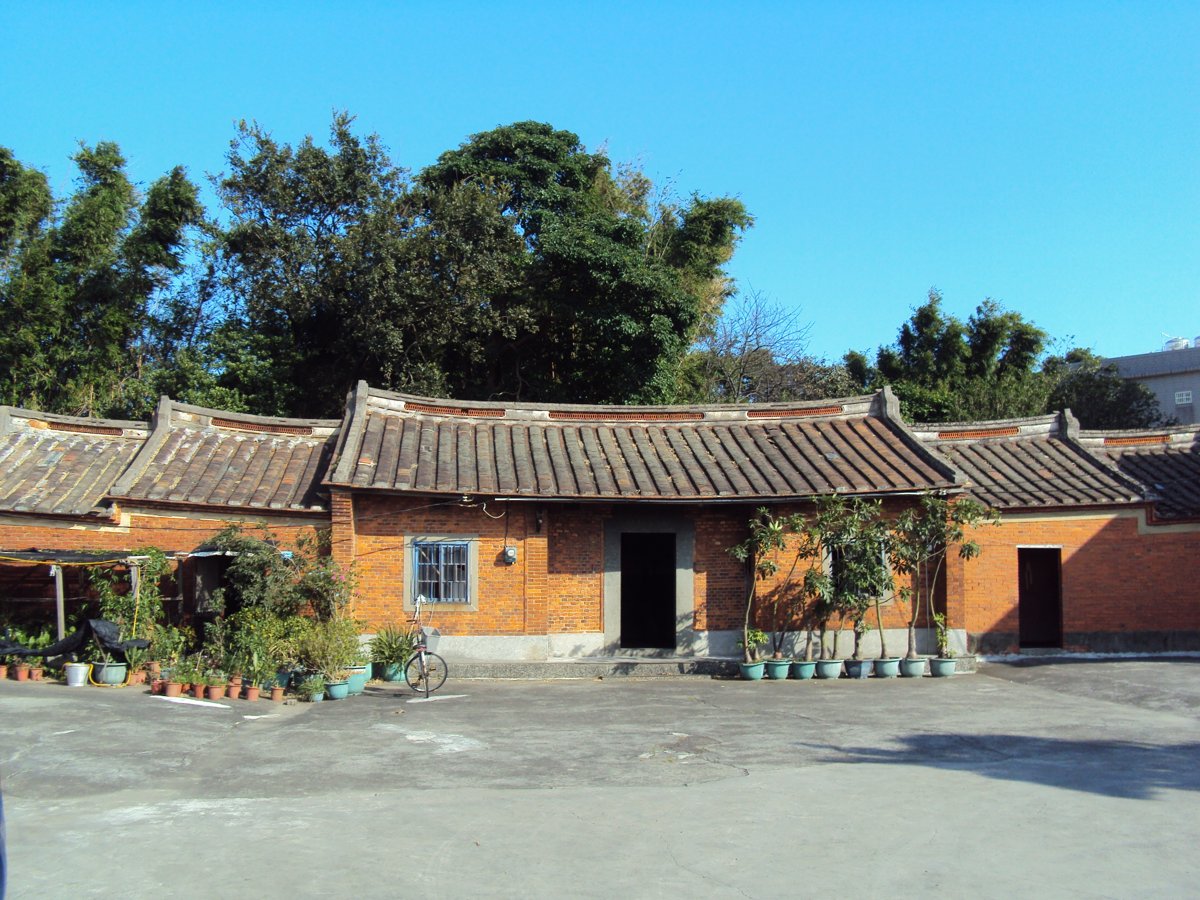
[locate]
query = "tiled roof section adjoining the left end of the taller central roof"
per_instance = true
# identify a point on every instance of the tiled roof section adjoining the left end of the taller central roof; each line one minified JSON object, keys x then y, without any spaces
{"x":208,"y":458}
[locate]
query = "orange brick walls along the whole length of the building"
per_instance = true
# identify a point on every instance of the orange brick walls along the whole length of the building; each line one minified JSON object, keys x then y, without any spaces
{"x":1119,"y":577}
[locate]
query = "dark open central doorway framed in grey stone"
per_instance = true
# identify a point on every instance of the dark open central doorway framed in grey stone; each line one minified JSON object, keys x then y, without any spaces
{"x":647,"y":590}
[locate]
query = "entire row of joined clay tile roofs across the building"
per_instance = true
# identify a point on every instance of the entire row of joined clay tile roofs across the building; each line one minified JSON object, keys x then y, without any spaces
{"x":190,"y":457}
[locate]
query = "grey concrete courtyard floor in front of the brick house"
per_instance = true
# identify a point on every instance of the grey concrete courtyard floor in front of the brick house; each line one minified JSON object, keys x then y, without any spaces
{"x":1055,"y":779}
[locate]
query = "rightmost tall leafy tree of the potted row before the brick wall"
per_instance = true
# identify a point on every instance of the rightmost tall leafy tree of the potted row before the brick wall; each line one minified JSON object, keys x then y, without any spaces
{"x":921,"y":539}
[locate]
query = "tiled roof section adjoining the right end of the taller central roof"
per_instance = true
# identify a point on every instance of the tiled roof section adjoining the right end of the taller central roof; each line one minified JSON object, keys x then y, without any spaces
{"x":1028,"y":464}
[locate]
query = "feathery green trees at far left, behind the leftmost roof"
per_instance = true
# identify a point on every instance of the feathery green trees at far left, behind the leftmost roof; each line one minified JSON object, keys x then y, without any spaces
{"x":80,"y":281}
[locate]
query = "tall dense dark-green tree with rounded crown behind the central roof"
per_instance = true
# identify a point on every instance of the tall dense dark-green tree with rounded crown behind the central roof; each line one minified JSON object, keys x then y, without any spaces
{"x":611,"y":287}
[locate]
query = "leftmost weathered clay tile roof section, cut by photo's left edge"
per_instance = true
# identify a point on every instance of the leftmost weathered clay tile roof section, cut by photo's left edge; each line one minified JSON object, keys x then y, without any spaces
{"x":59,"y":465}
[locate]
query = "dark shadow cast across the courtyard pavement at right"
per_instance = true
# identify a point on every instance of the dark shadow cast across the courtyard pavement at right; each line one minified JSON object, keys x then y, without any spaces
{"x":1112,"y":769}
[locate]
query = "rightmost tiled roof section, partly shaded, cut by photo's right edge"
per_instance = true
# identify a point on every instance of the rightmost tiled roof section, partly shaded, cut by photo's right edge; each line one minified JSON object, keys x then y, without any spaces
{"x":1166,"y":463}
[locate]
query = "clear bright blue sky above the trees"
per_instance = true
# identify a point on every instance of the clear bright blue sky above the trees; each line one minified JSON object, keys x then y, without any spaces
{"x":1042,"y":154}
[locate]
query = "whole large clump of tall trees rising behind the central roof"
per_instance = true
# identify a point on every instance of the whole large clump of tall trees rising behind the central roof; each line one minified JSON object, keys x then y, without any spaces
{"x":518,"y":266}
